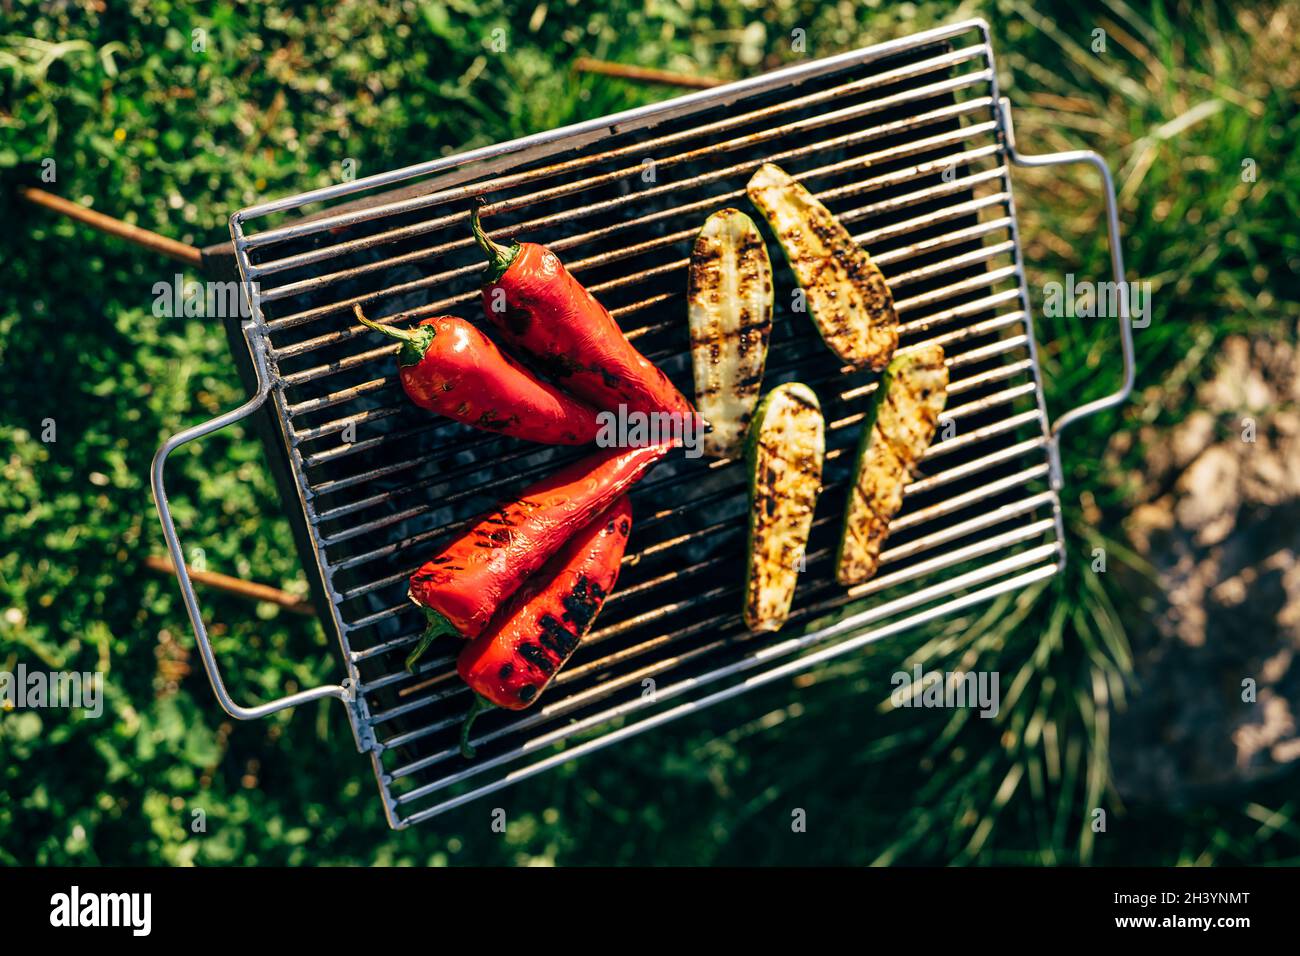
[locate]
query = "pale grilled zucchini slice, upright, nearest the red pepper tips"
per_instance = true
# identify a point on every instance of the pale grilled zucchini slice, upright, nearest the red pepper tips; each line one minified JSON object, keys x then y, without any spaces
{"x":730,"y":309}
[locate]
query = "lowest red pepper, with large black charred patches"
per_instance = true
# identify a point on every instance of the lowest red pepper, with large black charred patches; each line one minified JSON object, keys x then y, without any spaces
{"x":512,"y":663}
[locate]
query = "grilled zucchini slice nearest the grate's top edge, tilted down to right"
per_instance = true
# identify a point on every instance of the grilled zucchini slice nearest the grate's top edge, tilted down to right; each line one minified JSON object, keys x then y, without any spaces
{"x":848,"y":299}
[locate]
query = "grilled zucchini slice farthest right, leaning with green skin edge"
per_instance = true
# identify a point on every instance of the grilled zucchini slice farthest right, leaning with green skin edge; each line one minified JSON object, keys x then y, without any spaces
{"x":895,"y":436}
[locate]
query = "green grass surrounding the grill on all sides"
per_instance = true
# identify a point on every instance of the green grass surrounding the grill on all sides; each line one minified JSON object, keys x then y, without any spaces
{"x":145,"y":128}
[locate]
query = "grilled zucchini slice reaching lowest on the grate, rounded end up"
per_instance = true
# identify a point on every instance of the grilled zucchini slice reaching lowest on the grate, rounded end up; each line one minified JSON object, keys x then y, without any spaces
{"x":785,"y":451}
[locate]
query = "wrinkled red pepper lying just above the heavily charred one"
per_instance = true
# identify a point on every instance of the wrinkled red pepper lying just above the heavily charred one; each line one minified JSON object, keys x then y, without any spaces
{"x":470,"y":579}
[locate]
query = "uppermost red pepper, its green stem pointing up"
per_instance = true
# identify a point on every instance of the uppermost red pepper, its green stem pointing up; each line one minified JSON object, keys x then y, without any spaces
{"x":541,"y":310}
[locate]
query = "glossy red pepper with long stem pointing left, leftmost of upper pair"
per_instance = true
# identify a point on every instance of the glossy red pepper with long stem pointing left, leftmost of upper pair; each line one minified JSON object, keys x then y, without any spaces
{"x":450,"y":367}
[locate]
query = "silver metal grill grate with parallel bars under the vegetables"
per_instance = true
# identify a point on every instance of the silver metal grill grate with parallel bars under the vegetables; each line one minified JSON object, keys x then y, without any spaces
{"x":908,"y":145}
